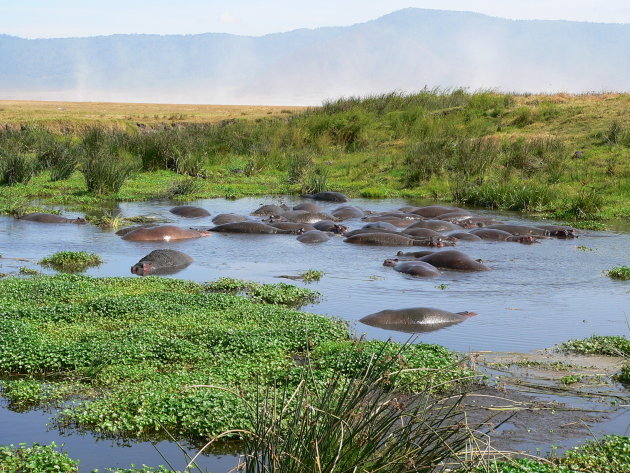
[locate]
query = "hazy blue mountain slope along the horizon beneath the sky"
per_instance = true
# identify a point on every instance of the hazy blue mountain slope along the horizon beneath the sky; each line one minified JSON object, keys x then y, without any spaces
{"x":404,"y":50}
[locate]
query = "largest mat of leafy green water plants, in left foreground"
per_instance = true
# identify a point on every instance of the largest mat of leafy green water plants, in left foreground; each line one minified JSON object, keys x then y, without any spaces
{"x":116,"y":354}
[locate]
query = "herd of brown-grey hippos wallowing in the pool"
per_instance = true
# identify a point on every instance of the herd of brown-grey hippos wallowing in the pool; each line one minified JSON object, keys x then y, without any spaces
{"x":431,"y":226}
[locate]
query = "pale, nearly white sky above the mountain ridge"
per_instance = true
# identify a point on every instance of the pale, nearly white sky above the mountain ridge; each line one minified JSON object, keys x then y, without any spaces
{"x":78,"y":18}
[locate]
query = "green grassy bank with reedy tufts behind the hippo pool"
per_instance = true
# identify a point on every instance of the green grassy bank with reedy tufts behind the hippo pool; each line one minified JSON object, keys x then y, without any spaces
{"x":564,"y":156}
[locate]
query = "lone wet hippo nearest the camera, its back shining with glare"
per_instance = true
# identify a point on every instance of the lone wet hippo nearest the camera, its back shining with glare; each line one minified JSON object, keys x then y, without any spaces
{"x":417,"y":319}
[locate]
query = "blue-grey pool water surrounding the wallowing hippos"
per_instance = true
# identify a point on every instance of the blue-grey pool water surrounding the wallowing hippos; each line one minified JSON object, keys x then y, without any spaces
{"x":534,"y":297}
